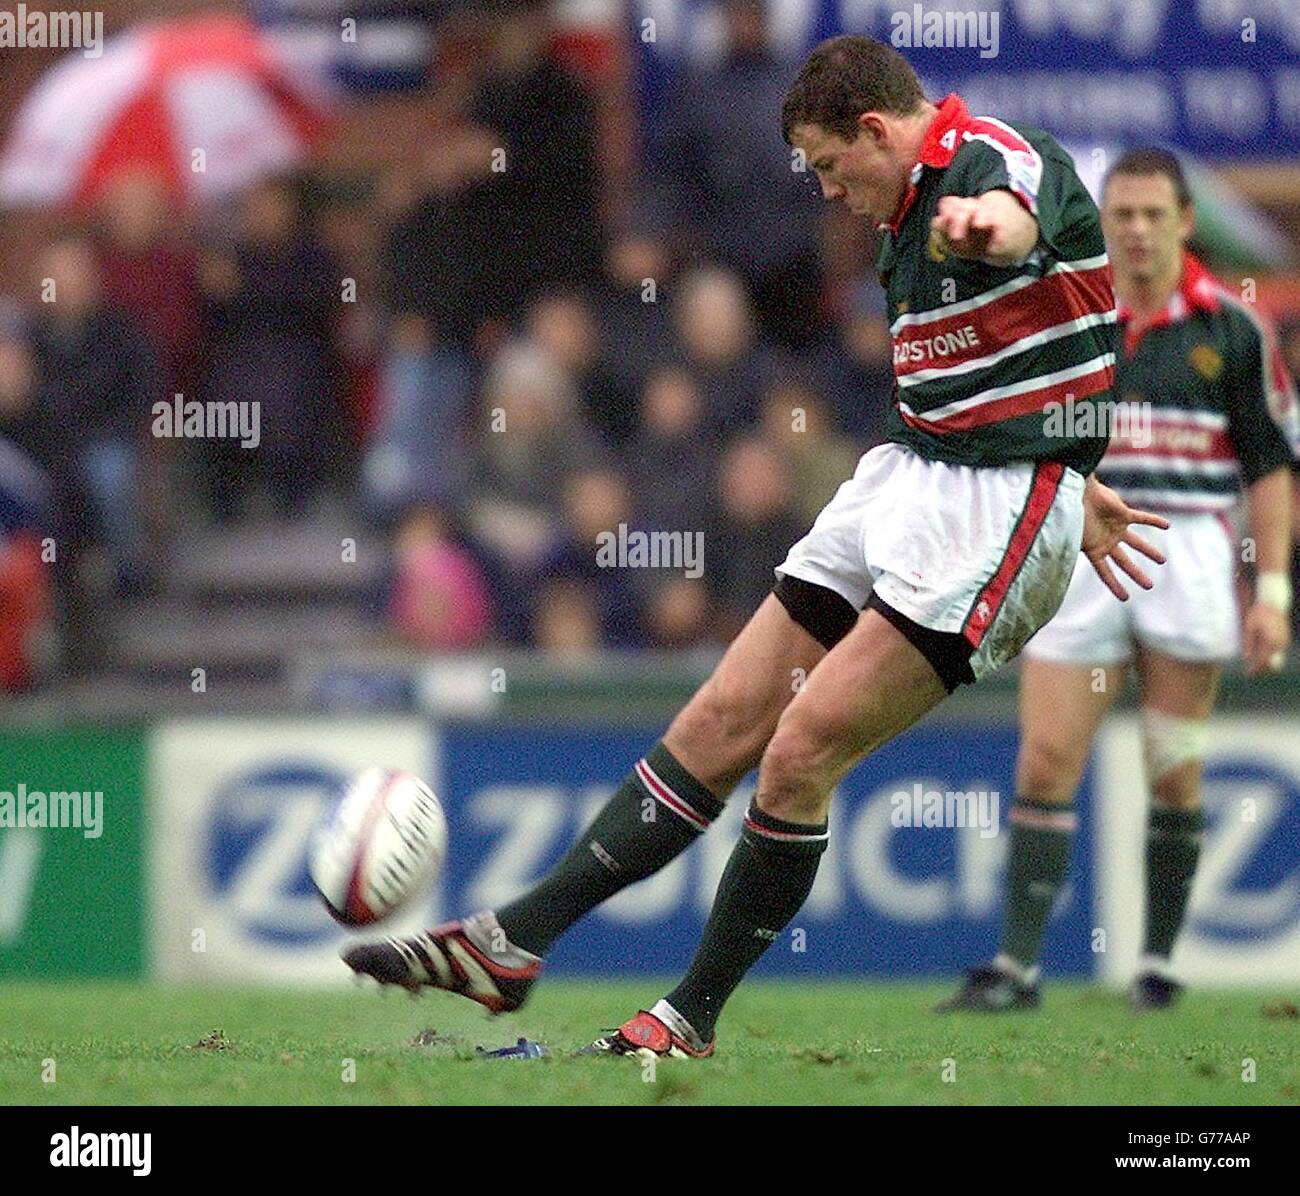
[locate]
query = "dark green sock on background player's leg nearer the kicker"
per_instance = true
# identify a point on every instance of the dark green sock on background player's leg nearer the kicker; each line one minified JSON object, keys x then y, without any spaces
{"x":1041,"y":852}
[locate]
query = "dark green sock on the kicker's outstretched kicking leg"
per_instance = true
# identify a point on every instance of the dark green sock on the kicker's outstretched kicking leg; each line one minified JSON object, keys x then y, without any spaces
{"x":657,"y":813}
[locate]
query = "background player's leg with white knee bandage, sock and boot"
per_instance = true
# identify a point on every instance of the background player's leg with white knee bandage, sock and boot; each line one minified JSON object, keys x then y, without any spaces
{"x":1177,"y":700}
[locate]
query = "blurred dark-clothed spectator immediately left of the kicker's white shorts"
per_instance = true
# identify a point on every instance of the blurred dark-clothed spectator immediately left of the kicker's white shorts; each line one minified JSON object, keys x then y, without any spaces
{"x":757,"y":527}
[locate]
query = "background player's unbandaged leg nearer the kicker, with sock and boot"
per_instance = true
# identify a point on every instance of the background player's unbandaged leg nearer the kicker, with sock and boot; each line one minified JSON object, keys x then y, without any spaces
{"x":1061,"y":708}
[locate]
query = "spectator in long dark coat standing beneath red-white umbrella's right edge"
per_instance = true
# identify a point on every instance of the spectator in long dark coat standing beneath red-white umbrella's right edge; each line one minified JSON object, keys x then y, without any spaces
{"x":271,"y":307}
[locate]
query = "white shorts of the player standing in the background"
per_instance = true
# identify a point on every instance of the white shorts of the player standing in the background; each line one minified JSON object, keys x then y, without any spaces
{"x":1190,"y":613}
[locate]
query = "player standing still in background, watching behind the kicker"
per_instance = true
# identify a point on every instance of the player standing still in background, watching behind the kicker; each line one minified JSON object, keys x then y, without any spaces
{"x":1207,"y":405}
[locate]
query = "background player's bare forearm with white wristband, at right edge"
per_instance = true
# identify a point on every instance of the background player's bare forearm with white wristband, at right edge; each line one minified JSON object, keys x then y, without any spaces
{"x":1267,"y":631}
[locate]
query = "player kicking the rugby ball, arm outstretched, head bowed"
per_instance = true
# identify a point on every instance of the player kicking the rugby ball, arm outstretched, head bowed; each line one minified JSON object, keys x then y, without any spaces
{"x":931,"y":567}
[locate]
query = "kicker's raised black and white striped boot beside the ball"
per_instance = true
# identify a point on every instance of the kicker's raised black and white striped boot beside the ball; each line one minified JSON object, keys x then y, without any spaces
{"x":470,"y":957}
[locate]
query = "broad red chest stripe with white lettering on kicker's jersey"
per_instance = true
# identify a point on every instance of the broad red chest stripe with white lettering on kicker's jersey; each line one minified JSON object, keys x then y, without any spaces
{"x":1047,"y":302}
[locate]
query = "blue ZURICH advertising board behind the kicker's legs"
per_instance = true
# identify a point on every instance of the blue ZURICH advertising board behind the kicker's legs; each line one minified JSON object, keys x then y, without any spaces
{"x":896,"y":896}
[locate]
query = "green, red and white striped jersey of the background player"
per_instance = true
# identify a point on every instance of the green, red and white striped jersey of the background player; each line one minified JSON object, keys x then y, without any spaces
{"x":1223,"y":410}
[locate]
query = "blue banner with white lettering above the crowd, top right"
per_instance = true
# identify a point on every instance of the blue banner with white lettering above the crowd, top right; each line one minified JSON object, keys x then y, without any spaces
{"x":1220,"y":79}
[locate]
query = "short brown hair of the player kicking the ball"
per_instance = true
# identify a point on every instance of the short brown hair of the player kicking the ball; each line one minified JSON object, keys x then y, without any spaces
{"x":846,"y":77}
